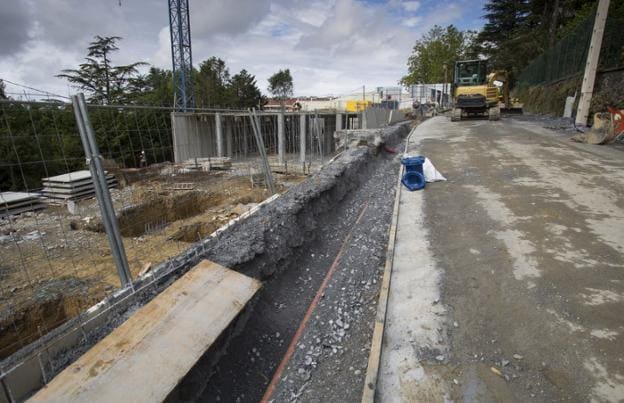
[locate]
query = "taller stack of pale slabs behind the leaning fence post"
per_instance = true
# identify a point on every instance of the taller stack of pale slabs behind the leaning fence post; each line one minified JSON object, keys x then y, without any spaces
{"x":71,"y":186}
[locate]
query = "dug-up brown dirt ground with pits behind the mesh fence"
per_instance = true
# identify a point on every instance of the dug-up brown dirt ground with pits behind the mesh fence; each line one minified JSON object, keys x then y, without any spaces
{"x":56,"y":264}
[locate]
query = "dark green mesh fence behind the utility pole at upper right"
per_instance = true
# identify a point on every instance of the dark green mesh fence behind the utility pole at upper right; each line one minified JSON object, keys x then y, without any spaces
{"x":567,"y":58}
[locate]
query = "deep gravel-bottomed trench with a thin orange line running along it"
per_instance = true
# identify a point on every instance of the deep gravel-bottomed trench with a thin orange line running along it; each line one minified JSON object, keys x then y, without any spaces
{"x":339,"y":220}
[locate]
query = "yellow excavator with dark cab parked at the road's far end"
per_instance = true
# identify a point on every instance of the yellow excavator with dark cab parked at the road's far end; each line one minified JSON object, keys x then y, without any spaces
{"x":477,"y":93}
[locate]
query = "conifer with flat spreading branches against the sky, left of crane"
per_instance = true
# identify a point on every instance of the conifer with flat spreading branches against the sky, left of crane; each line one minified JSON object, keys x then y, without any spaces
{"x":104,"y":82}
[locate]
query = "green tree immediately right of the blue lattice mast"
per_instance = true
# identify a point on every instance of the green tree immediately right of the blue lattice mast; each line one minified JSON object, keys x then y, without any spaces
{"x":211,"y":82}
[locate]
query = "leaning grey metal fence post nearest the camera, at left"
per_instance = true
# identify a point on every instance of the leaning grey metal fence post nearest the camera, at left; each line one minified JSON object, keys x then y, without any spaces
{"x":102,"y":193}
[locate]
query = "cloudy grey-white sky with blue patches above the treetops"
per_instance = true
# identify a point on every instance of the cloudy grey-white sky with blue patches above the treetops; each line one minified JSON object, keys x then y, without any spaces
{"x":330,"y":46}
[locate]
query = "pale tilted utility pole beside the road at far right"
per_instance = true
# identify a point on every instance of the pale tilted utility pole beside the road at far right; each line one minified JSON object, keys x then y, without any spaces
{"x":593,"y":55}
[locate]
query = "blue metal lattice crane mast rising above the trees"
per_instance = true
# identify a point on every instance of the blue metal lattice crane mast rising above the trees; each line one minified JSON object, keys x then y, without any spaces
{"x":181,"y":55}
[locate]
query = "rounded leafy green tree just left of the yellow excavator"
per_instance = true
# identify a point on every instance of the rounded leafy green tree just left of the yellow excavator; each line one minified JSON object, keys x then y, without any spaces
{"x":438,"y":47}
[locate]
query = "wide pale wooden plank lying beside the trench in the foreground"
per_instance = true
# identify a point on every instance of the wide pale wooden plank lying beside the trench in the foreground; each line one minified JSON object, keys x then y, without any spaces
{"x":145,"y":358}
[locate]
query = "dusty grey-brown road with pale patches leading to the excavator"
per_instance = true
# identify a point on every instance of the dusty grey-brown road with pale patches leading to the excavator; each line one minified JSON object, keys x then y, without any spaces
{"x":508,"y":280}
